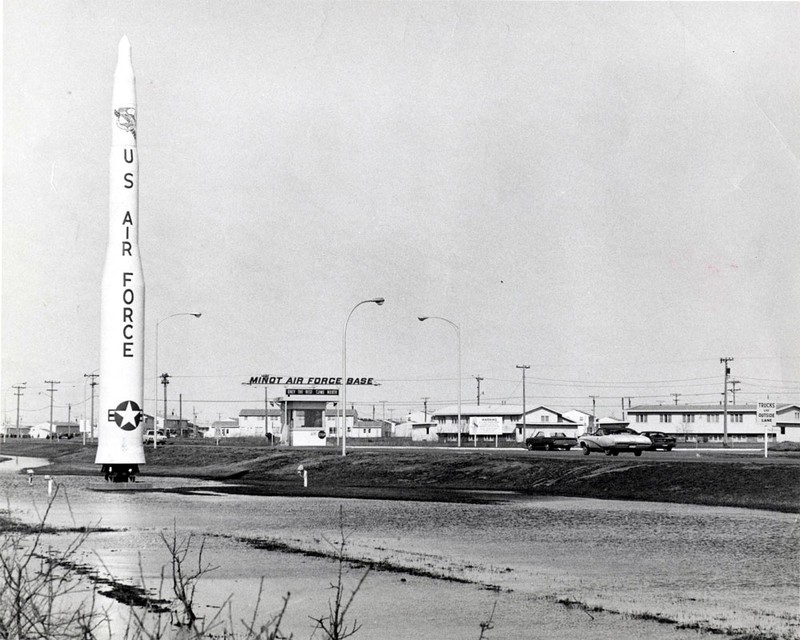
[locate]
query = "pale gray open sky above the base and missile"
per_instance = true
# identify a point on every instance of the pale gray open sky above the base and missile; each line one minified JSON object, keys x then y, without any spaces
{"x":607,"y":192}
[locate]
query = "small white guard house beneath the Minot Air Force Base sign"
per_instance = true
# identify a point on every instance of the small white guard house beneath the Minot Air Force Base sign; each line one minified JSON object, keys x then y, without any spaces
{"x":304,"y":411}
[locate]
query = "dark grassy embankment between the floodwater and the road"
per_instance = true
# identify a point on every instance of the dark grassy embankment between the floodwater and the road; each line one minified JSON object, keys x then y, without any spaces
{"x":724,"y":479}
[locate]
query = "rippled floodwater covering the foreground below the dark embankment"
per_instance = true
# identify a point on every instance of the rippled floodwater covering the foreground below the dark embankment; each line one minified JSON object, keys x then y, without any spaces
{"x":717,"y":568}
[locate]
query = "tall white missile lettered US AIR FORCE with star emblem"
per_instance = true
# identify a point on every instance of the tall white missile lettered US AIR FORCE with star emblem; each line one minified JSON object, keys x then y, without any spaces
{"x":120,"y":450}
